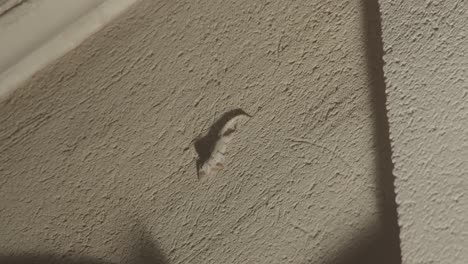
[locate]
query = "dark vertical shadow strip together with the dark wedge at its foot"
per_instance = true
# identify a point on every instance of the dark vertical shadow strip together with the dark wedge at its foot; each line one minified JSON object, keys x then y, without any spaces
{"x":382,"y":245}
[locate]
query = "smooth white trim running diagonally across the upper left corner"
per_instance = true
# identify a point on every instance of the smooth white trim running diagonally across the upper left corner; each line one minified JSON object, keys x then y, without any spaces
{"x":40,"y":31}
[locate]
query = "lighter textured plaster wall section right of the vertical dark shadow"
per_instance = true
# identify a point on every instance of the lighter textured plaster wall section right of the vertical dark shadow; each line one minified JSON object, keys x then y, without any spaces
{"x":426,"y":46}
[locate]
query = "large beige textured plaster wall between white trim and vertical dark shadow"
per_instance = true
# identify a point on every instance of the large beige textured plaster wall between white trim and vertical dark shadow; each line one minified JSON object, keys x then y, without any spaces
{"x":96,"y":158}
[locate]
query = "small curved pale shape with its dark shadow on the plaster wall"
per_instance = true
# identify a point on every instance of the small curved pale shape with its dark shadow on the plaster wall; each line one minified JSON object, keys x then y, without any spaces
{"x":211,"y":148}
